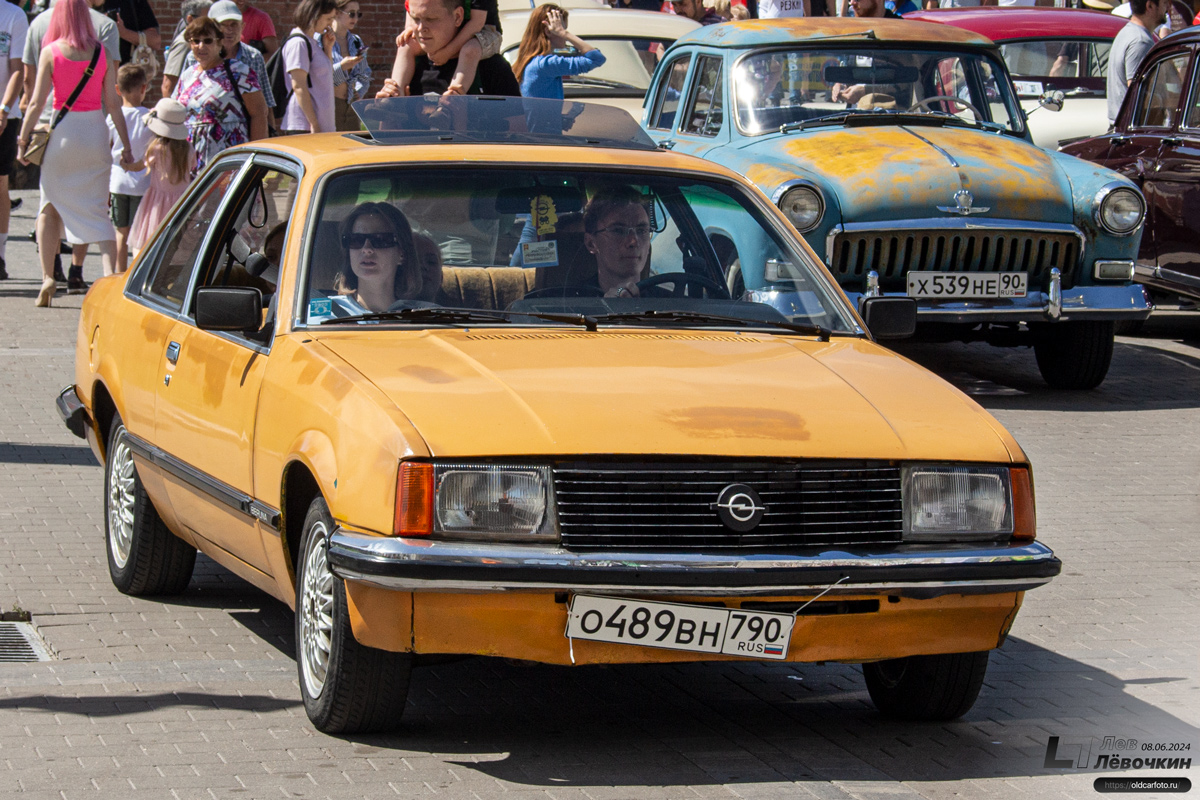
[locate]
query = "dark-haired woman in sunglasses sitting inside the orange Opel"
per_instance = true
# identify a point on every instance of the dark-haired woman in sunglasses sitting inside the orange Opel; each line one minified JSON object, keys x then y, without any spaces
{"x":381,"y":266}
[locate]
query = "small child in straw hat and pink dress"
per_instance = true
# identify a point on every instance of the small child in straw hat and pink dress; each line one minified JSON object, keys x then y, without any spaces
{"x":170,"y":160}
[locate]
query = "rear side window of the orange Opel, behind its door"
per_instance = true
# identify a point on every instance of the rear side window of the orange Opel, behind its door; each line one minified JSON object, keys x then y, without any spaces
{"x":170,"y":278}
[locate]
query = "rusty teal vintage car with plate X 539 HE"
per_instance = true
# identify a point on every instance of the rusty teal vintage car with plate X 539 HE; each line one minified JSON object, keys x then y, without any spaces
{"x":901,"y":153}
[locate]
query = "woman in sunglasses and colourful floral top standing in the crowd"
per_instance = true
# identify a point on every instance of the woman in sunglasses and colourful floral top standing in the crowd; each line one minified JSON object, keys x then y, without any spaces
{"x":224,"y":99}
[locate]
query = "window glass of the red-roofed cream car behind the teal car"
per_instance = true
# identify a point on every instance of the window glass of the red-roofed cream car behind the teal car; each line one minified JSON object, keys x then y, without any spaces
{"x":1072,"y":65}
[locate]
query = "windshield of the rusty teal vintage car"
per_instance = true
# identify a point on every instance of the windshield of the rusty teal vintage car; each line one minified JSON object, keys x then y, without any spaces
{"x":785,"y":88}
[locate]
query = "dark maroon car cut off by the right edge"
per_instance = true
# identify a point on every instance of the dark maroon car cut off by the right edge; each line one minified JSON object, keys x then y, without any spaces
{"x":1156,"y":143}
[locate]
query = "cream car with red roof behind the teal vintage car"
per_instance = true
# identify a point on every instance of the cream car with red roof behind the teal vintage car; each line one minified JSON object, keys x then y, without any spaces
{"x":1047,"y":51}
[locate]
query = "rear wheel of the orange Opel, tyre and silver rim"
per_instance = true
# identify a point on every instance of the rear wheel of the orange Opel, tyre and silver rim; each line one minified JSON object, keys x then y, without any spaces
{"x":145,"y":558}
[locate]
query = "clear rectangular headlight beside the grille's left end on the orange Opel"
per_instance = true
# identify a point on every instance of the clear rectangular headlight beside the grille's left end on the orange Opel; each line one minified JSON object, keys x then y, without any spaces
{"x":495,"y":502}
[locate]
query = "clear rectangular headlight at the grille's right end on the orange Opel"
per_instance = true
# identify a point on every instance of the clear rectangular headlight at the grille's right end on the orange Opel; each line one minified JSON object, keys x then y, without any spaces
{"x":945,"y":504}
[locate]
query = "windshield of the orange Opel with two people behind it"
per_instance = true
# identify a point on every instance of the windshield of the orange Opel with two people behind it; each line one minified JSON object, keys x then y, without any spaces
{"x":620,"y":248}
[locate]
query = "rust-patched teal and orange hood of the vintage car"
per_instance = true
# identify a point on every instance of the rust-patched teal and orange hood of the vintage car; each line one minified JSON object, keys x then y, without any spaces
{"x":884,"y":172}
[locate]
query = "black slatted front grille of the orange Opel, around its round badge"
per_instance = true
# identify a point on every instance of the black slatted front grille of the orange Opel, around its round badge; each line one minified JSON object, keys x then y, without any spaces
{"x":626,"y":507}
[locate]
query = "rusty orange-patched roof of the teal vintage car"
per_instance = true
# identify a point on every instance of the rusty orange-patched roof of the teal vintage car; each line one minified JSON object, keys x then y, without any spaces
{"x":765,"y":33}
